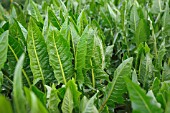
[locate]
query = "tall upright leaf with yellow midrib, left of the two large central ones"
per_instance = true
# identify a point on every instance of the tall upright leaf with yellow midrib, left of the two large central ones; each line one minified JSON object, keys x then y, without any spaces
{"x":38,"y":55}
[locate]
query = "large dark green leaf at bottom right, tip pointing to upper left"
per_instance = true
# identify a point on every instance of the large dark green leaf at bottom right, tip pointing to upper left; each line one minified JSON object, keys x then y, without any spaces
{"x":141,"y":103}
